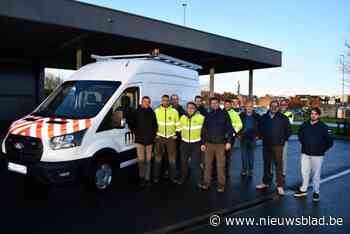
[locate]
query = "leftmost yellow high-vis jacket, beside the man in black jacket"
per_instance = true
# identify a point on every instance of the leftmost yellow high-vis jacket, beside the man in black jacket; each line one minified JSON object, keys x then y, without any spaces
{"x":168,"y":121}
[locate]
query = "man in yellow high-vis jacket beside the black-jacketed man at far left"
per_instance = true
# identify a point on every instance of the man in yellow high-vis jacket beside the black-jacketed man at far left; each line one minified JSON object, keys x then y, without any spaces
{"x":168,"y":124}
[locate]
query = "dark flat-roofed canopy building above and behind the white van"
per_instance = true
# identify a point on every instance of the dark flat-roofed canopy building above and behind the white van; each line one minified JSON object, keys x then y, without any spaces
{"x":64,"y":34}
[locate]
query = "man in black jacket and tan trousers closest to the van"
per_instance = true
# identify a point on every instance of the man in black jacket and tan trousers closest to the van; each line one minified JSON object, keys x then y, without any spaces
{"x":145,"y":128}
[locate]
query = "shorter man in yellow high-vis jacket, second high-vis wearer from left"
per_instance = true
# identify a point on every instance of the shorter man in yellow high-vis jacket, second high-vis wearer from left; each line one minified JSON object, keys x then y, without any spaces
{"x":191,"y":126}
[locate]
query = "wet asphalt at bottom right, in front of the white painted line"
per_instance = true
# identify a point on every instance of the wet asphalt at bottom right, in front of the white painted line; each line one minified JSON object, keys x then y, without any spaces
{"x":333,"y":207}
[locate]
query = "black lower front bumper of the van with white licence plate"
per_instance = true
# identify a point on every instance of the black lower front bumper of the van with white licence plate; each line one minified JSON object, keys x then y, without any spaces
{"x":50,"y":172}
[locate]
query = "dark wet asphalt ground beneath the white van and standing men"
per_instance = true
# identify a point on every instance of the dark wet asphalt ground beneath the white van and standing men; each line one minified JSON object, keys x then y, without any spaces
{"x":27,"y":207}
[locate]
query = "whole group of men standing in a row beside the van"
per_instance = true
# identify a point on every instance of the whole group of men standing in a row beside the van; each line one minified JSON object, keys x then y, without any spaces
{"x":207,"y":136}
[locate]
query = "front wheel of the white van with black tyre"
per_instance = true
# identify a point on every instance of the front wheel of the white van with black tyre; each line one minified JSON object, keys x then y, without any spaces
{"x":102,"y":175}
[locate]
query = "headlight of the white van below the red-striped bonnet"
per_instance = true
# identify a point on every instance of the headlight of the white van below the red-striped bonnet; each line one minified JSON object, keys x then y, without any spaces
{"x":67,"y":141}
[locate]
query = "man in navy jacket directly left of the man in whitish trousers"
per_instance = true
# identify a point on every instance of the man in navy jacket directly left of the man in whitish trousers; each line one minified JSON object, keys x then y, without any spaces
{"x":275,"y":130}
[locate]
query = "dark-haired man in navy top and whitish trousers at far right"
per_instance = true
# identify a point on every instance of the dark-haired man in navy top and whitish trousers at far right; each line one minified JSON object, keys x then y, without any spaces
{"x":315,"y":141}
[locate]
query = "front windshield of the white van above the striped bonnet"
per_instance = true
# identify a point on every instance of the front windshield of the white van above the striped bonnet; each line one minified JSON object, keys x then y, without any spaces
{"x":78,"y":99}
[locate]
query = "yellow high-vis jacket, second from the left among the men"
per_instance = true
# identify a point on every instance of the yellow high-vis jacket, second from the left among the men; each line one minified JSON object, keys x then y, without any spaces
{"x":191,"y":127}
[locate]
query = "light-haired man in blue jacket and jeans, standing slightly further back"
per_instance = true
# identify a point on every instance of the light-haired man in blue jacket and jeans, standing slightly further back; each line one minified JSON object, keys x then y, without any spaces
{"x":248,"y":135}
